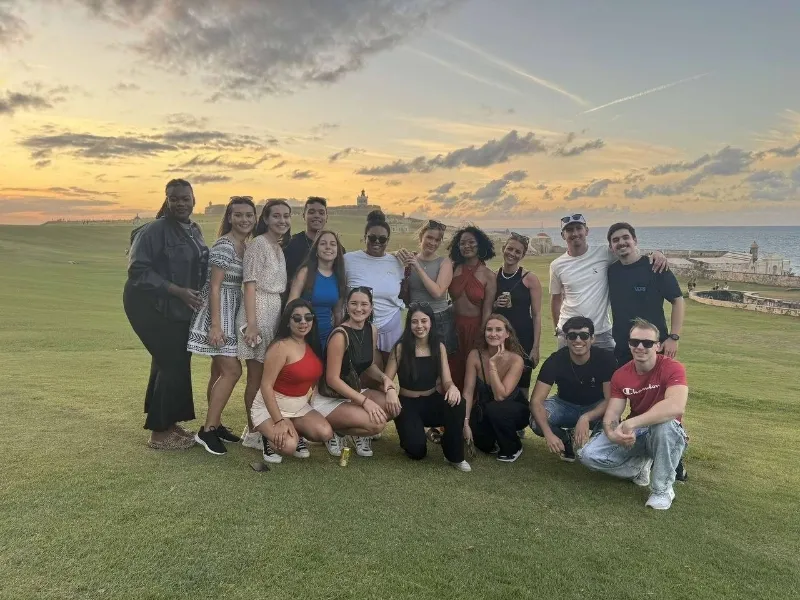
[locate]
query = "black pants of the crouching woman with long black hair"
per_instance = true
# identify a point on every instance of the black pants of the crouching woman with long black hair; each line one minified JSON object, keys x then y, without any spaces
{"x":431,"y":411}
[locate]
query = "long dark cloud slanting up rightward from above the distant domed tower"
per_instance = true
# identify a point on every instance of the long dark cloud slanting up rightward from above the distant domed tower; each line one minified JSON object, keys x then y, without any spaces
{"x":491,"y":153}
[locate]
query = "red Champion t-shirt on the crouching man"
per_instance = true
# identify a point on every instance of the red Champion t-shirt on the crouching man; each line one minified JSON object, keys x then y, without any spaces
{"x":644,"y":390}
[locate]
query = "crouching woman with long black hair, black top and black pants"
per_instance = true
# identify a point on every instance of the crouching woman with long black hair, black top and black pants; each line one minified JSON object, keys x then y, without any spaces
{"x":428,"y":396}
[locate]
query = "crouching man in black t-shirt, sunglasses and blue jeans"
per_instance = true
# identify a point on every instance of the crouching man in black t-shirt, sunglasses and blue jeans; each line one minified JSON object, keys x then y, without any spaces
{"x":583,"y":376}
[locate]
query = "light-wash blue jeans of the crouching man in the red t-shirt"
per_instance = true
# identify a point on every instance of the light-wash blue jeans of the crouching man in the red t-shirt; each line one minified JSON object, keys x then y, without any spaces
{"x":663,"y":443}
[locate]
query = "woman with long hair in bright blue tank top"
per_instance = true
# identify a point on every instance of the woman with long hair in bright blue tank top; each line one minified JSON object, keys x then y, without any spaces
{"x":321,"y":281}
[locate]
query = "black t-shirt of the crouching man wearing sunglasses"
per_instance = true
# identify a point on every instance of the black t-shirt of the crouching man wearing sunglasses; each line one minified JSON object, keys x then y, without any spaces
{"x":579,"y":384}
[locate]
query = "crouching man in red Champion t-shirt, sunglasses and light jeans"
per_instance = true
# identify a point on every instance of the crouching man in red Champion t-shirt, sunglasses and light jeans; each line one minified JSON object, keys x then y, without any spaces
{"x":652,"y":436}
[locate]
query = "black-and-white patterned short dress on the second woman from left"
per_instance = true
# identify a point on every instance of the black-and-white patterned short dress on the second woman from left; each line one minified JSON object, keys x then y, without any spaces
{"x":223,"y":256}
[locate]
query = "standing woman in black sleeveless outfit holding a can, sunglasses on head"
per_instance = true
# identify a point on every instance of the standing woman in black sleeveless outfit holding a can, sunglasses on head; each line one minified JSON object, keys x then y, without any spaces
{"x":519,"y":299}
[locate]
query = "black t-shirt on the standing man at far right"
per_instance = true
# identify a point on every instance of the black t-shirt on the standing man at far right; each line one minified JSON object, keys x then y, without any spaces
{"x":636,"y":291}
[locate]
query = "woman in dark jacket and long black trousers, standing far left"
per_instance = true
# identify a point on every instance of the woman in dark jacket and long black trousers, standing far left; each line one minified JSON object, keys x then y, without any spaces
{"x":167,"y":266}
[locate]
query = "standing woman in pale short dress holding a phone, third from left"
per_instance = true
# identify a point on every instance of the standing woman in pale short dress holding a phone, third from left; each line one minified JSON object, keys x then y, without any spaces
{"x":264,"y":277}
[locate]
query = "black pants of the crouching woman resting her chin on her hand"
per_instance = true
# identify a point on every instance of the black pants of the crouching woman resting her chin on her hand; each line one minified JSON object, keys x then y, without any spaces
{"x":499,"y":422}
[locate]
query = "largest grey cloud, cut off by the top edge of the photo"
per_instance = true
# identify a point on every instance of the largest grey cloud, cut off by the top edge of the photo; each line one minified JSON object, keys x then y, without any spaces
{"x":252,"y":47}
